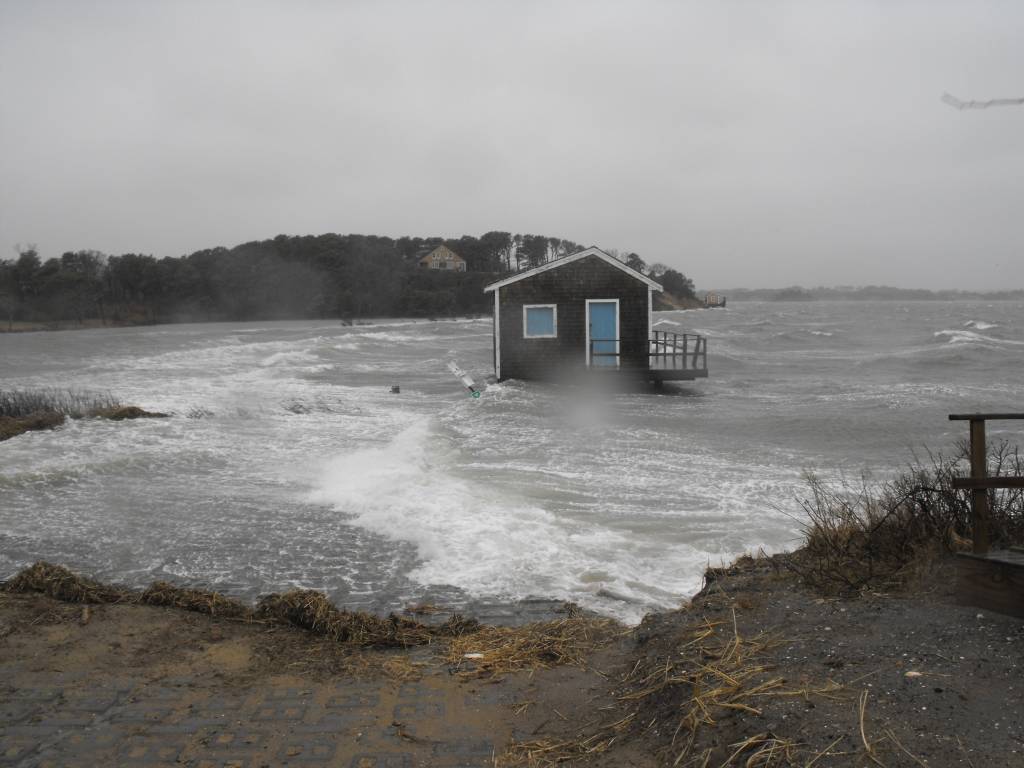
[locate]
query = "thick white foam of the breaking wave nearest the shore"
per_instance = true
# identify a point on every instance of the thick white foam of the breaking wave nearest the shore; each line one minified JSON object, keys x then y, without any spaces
{"x":491,"y":543}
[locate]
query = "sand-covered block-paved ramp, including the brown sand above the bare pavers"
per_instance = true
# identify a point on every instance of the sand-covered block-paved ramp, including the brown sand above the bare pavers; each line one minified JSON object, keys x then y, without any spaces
{"x":149,"y":688}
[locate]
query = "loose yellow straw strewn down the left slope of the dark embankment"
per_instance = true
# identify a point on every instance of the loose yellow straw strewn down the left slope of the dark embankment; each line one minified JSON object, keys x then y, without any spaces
{"x":678,"y":697}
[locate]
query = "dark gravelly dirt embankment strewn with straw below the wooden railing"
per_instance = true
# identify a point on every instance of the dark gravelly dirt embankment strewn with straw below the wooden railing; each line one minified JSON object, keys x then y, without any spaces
{"x":761,"y":671}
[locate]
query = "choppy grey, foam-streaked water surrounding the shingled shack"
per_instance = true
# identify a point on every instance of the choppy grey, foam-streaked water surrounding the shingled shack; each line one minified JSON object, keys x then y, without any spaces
{"x":290,"y":463}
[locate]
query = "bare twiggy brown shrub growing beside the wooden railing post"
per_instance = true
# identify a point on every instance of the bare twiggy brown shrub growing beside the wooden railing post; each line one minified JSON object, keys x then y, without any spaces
{"x":884,"y":536}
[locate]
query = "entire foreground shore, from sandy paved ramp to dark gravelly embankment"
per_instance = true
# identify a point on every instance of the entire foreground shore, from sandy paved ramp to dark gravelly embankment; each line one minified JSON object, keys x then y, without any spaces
{"x":758,"y":672}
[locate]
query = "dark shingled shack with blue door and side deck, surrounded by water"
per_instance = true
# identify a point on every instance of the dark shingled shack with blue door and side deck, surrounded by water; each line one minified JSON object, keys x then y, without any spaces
{"x":587,"y":312}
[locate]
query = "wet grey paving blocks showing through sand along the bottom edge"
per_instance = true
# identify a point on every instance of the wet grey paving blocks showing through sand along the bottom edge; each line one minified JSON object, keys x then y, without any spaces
{"x":353,"y":724}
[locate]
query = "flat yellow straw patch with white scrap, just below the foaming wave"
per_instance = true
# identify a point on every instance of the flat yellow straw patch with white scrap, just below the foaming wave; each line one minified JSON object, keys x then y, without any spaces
{"x":497,"y":651}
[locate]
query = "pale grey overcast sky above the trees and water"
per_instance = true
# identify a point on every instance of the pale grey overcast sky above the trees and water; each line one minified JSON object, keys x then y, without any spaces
{"x":746,"y":144}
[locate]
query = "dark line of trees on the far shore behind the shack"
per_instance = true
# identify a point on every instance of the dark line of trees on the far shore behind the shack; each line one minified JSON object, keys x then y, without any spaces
{"x":286,"y":278}
